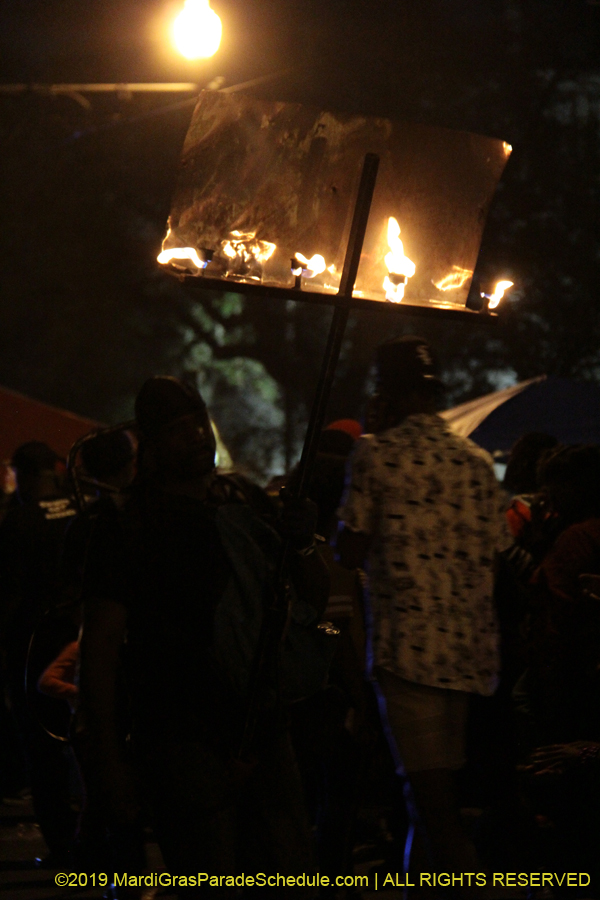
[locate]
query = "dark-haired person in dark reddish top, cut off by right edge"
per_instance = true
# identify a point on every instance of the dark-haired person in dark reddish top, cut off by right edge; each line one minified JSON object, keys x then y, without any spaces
{"x":564,"y":651}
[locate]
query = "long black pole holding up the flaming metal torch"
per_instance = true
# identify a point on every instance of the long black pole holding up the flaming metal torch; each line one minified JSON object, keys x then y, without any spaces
{"x":276,"y":616}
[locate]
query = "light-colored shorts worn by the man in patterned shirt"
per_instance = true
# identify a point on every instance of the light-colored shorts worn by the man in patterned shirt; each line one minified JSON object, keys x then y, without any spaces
{"x":428,"y":724}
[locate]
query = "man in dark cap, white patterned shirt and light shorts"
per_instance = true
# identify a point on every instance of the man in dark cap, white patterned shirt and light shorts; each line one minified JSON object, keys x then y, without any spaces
{"x":424,"y":511}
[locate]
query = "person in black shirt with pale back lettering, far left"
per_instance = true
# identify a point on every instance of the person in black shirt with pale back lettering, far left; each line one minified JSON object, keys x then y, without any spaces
{"x":31,"y":540}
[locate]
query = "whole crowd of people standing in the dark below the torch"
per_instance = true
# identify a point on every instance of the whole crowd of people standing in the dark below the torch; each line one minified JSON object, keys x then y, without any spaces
{"x":228,"y":666}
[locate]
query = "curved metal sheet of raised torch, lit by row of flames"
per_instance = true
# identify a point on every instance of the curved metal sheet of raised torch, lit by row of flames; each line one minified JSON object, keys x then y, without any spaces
{"x":266,"y":192}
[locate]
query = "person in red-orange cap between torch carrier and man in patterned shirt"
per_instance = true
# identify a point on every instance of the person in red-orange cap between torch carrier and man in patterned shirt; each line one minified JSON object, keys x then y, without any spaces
{"x":333,"y":731}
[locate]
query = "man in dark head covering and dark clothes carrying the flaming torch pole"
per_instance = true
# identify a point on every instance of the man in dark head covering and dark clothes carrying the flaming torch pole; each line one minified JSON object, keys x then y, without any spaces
{"x":186,"y":568}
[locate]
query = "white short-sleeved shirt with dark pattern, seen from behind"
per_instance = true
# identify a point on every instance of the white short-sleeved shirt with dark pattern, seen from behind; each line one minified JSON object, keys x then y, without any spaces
{"x":434,"y":512}
